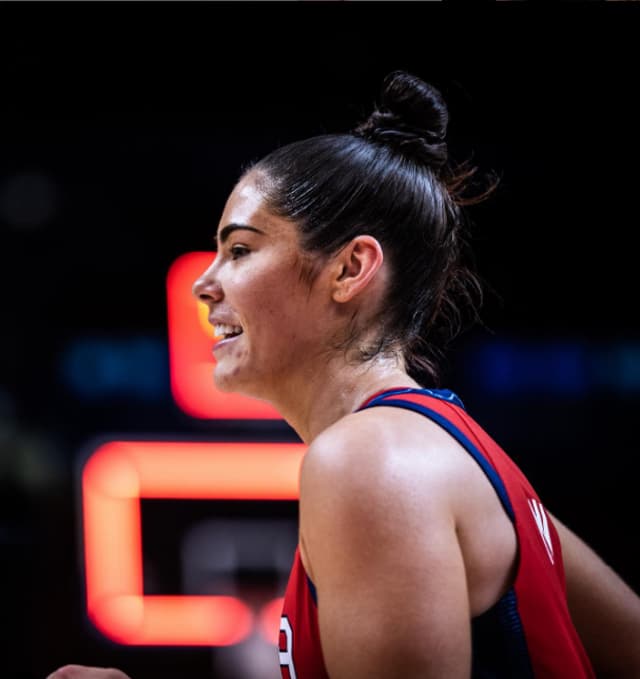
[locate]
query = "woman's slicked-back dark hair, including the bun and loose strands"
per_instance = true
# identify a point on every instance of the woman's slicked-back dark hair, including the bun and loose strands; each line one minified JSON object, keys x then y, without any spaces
{"x":390,"y":178}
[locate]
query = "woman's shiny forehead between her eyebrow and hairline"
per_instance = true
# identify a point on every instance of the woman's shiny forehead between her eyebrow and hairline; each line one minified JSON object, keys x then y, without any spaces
{"x":246,"y":205}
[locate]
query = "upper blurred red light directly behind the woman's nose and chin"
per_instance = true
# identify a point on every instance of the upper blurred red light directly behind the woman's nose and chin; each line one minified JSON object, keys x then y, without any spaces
{"x":191,"y":361}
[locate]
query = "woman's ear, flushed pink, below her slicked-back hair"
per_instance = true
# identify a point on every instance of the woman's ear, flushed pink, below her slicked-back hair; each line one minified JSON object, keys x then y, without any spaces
{"x":356,"y":266}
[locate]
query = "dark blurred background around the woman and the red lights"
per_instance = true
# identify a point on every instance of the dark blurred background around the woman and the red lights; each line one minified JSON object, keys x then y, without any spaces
{"x":123,"y":126}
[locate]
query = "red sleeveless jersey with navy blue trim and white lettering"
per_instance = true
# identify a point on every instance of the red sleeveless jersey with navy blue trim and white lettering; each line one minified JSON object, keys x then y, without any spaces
{"x":528,"y":633}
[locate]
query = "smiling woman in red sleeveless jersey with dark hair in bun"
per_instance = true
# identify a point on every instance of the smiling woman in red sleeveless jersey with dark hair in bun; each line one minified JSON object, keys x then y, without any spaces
{"x":423,"y":551}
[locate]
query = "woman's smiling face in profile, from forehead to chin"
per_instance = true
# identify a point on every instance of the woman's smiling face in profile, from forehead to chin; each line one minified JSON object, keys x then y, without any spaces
{"x":272,"y":321}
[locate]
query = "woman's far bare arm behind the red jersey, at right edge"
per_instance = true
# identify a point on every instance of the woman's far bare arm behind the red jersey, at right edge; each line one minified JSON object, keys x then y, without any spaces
{"x":604,"y":609}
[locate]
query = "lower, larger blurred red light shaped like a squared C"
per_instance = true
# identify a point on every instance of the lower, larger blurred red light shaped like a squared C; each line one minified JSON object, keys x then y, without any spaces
{"x":114,"y":479}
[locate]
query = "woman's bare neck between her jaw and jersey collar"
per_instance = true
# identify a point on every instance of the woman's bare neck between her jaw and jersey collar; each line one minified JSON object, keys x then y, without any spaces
{"x":310,"y":403}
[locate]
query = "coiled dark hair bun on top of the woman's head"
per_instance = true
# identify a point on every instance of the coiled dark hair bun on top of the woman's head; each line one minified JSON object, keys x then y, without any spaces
{"x":412,"y":117}
